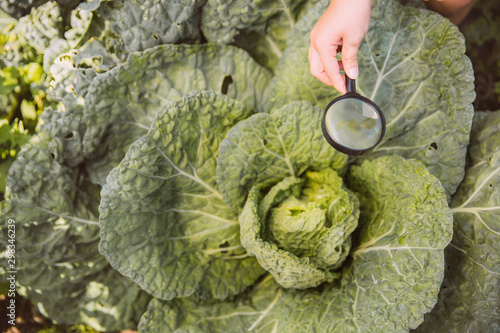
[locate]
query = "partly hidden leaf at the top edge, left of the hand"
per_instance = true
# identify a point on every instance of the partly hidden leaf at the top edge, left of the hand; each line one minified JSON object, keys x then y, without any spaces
{"x":260,"y":27}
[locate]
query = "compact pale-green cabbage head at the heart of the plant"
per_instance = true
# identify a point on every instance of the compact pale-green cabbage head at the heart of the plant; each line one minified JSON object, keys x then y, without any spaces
{"x":300,"y":231}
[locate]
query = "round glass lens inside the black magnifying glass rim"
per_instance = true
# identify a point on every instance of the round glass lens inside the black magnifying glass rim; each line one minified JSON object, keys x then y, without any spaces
{"x":353,"y":123}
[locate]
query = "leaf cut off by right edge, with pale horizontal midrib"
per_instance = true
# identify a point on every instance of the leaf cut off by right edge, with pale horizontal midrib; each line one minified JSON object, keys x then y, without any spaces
{"x":469,"y":299}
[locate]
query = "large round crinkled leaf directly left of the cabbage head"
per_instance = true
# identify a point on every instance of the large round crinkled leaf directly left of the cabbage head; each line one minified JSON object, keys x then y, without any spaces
{"x":163,"y":221}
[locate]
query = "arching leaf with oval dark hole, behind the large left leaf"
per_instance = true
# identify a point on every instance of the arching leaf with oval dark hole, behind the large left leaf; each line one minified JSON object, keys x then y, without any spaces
{"x":122,"y":103}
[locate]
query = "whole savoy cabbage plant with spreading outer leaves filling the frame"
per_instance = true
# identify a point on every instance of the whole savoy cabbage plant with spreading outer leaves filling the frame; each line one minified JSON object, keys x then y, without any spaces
{"x":187,"y":176}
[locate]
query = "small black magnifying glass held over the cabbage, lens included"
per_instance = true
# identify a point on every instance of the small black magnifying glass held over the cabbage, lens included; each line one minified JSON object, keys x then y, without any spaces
{"x":353,"y":124}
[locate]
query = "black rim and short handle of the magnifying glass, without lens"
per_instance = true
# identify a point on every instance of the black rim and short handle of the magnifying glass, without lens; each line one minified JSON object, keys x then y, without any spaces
{"x":351,"y":93}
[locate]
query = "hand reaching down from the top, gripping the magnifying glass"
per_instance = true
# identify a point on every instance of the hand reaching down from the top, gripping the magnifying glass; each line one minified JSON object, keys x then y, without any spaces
{"x":341,"y":28}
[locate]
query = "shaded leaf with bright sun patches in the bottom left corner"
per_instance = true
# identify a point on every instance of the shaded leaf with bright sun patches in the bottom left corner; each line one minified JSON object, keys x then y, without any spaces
{"x":105,"y":301}
